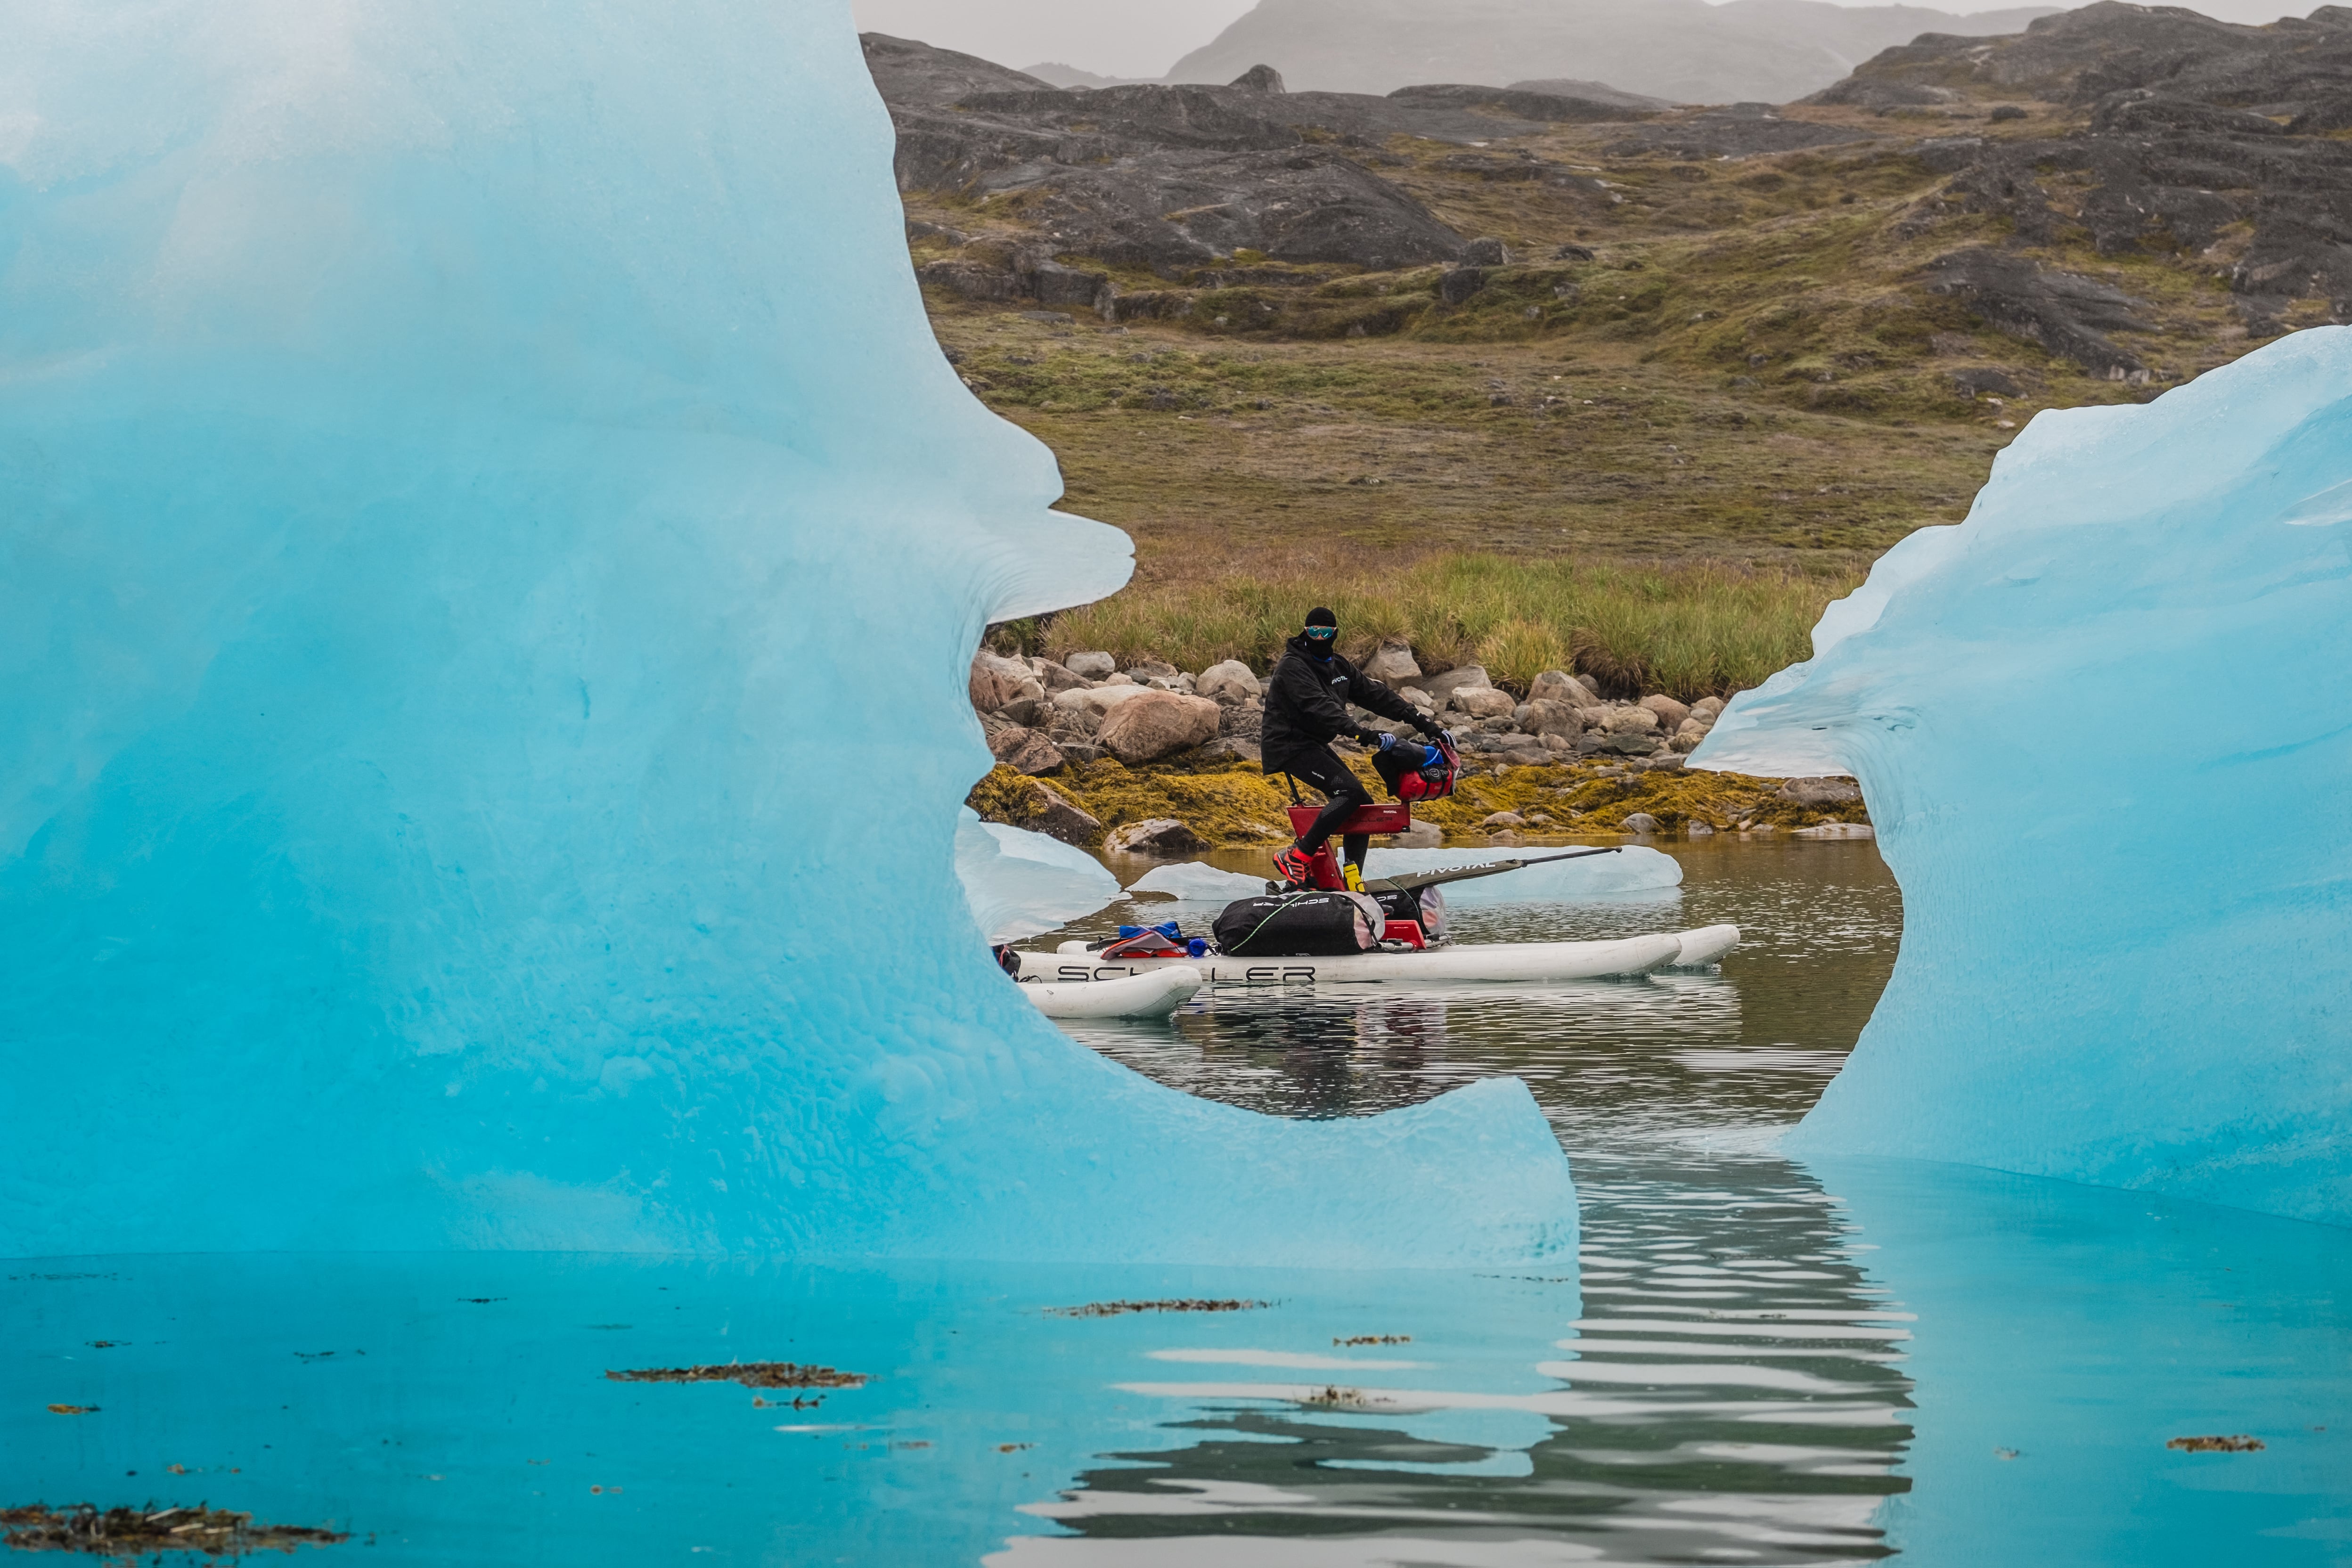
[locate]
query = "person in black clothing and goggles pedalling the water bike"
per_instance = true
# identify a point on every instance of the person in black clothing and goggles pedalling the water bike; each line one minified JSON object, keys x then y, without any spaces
{"x":1307,"y":709}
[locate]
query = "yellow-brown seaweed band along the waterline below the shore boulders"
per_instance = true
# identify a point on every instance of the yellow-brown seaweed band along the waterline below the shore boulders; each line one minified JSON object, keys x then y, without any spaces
{"x":1236,"y":808}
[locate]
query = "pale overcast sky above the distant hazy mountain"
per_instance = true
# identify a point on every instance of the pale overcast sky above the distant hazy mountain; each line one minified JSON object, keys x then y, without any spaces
{"x":1144,"y":41}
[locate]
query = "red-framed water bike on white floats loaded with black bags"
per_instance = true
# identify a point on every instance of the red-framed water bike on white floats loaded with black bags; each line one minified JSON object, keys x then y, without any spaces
{"x":1389,"y":932}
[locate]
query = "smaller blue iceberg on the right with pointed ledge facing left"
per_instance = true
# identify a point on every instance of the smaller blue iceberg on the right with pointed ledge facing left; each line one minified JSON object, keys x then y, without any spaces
{"x":2106,"y":737}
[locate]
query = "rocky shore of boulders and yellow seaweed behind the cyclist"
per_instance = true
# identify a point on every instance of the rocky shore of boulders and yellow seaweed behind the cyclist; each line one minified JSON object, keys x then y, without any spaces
{"x":1161,"y":760}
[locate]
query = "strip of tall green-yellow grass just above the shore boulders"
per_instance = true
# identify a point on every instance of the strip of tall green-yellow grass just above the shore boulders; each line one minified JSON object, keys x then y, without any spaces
{"x":1688,"y":631}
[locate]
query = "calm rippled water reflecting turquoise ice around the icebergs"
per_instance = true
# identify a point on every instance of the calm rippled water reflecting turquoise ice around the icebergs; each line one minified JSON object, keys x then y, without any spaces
{"x":1758,"y":1362}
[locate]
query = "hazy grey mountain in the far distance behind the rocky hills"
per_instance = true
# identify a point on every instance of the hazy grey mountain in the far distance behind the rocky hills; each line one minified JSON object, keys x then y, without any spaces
{"x":1681,"y":51}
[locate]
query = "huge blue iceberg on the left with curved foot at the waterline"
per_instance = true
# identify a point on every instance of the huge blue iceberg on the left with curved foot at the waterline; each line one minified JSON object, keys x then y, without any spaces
{"x":488,"y":568}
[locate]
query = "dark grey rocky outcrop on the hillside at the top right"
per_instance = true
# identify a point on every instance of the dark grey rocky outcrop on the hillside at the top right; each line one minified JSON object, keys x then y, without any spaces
{"x":2198,"y":130}
